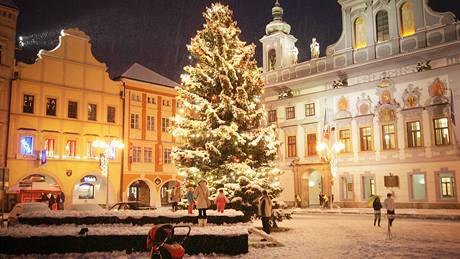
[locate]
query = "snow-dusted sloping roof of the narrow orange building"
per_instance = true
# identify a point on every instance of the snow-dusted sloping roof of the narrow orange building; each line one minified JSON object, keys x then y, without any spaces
{"x":141,"y":73}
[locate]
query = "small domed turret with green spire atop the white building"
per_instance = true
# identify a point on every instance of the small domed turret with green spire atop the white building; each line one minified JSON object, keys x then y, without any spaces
{"x":278,"y":45}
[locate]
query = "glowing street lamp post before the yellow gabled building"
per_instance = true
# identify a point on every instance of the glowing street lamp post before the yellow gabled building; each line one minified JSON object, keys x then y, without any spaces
{"x":104,"y":158}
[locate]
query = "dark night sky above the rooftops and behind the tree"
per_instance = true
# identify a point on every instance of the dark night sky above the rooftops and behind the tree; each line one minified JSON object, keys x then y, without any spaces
{"x":154,"y":32}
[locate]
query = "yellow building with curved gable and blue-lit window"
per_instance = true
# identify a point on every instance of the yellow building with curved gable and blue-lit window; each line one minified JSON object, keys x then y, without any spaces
{"x":61,"y":106}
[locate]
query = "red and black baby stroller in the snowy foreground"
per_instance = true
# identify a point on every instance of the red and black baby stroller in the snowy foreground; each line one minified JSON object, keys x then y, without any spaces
{"x":163,"y":244}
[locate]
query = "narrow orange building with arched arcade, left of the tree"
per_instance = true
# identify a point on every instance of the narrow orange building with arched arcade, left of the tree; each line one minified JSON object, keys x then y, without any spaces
{"x":149,"y":101}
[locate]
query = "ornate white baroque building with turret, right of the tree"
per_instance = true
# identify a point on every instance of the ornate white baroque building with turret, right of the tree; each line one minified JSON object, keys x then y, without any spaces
{"x":385,"y":95}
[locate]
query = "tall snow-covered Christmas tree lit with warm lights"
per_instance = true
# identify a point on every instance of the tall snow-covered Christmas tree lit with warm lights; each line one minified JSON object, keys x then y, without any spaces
{"x":221,"y":127}
